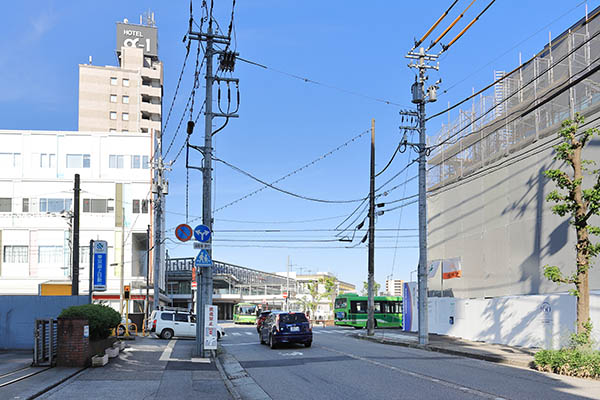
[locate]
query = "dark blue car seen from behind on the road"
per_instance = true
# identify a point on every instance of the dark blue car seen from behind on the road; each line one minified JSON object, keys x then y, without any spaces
{"x":286,"y":327}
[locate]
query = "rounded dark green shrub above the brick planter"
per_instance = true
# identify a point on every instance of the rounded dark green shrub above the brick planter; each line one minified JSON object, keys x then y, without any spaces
{"x":101,"y":319}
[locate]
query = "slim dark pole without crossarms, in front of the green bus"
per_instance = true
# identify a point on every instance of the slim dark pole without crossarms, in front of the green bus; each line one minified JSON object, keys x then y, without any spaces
{"x":371,"y":275}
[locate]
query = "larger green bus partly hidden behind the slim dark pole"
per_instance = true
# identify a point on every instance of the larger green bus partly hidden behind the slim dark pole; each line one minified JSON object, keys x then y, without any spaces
{"x":351,"y":310}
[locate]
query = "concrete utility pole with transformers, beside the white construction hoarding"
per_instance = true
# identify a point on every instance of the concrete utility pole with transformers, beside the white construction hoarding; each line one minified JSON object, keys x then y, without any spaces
{"x":419,"y":98}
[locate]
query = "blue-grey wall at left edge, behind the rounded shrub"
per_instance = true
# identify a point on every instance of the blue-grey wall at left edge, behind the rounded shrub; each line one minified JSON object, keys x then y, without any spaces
{"x":18,"y":315}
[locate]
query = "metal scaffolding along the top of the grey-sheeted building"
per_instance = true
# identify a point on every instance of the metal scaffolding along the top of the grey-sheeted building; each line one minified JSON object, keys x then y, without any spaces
{"x":527,"y":104}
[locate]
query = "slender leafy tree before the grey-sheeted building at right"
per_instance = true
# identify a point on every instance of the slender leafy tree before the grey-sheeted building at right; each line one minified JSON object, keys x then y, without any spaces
{"x":580,"y":204}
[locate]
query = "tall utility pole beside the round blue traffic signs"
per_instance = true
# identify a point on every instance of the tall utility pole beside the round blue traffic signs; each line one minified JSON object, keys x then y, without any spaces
{"x":204,"y":276}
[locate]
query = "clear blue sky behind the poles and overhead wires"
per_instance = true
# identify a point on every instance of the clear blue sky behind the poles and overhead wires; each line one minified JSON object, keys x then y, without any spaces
{"x":284,"y":123}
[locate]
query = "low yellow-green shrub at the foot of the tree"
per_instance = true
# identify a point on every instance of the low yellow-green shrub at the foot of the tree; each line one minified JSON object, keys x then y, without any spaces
{"x":583,"y":363}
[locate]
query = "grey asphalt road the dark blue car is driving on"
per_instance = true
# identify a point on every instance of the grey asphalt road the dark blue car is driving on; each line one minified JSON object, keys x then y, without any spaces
{"x":340,"y":366}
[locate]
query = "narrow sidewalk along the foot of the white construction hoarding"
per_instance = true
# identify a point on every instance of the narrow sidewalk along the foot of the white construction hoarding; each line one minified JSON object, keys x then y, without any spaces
{"x":518,"y":356}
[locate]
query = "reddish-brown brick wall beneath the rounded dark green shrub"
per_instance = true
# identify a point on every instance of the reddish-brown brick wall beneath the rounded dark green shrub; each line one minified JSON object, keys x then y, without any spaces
{"x":73,"y":348}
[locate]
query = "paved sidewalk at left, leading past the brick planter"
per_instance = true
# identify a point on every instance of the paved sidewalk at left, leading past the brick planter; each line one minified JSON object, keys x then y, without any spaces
{"x":147,"y":369}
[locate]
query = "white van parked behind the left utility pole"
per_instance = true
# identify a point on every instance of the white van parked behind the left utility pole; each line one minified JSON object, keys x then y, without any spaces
{"x":167,"y":324}
